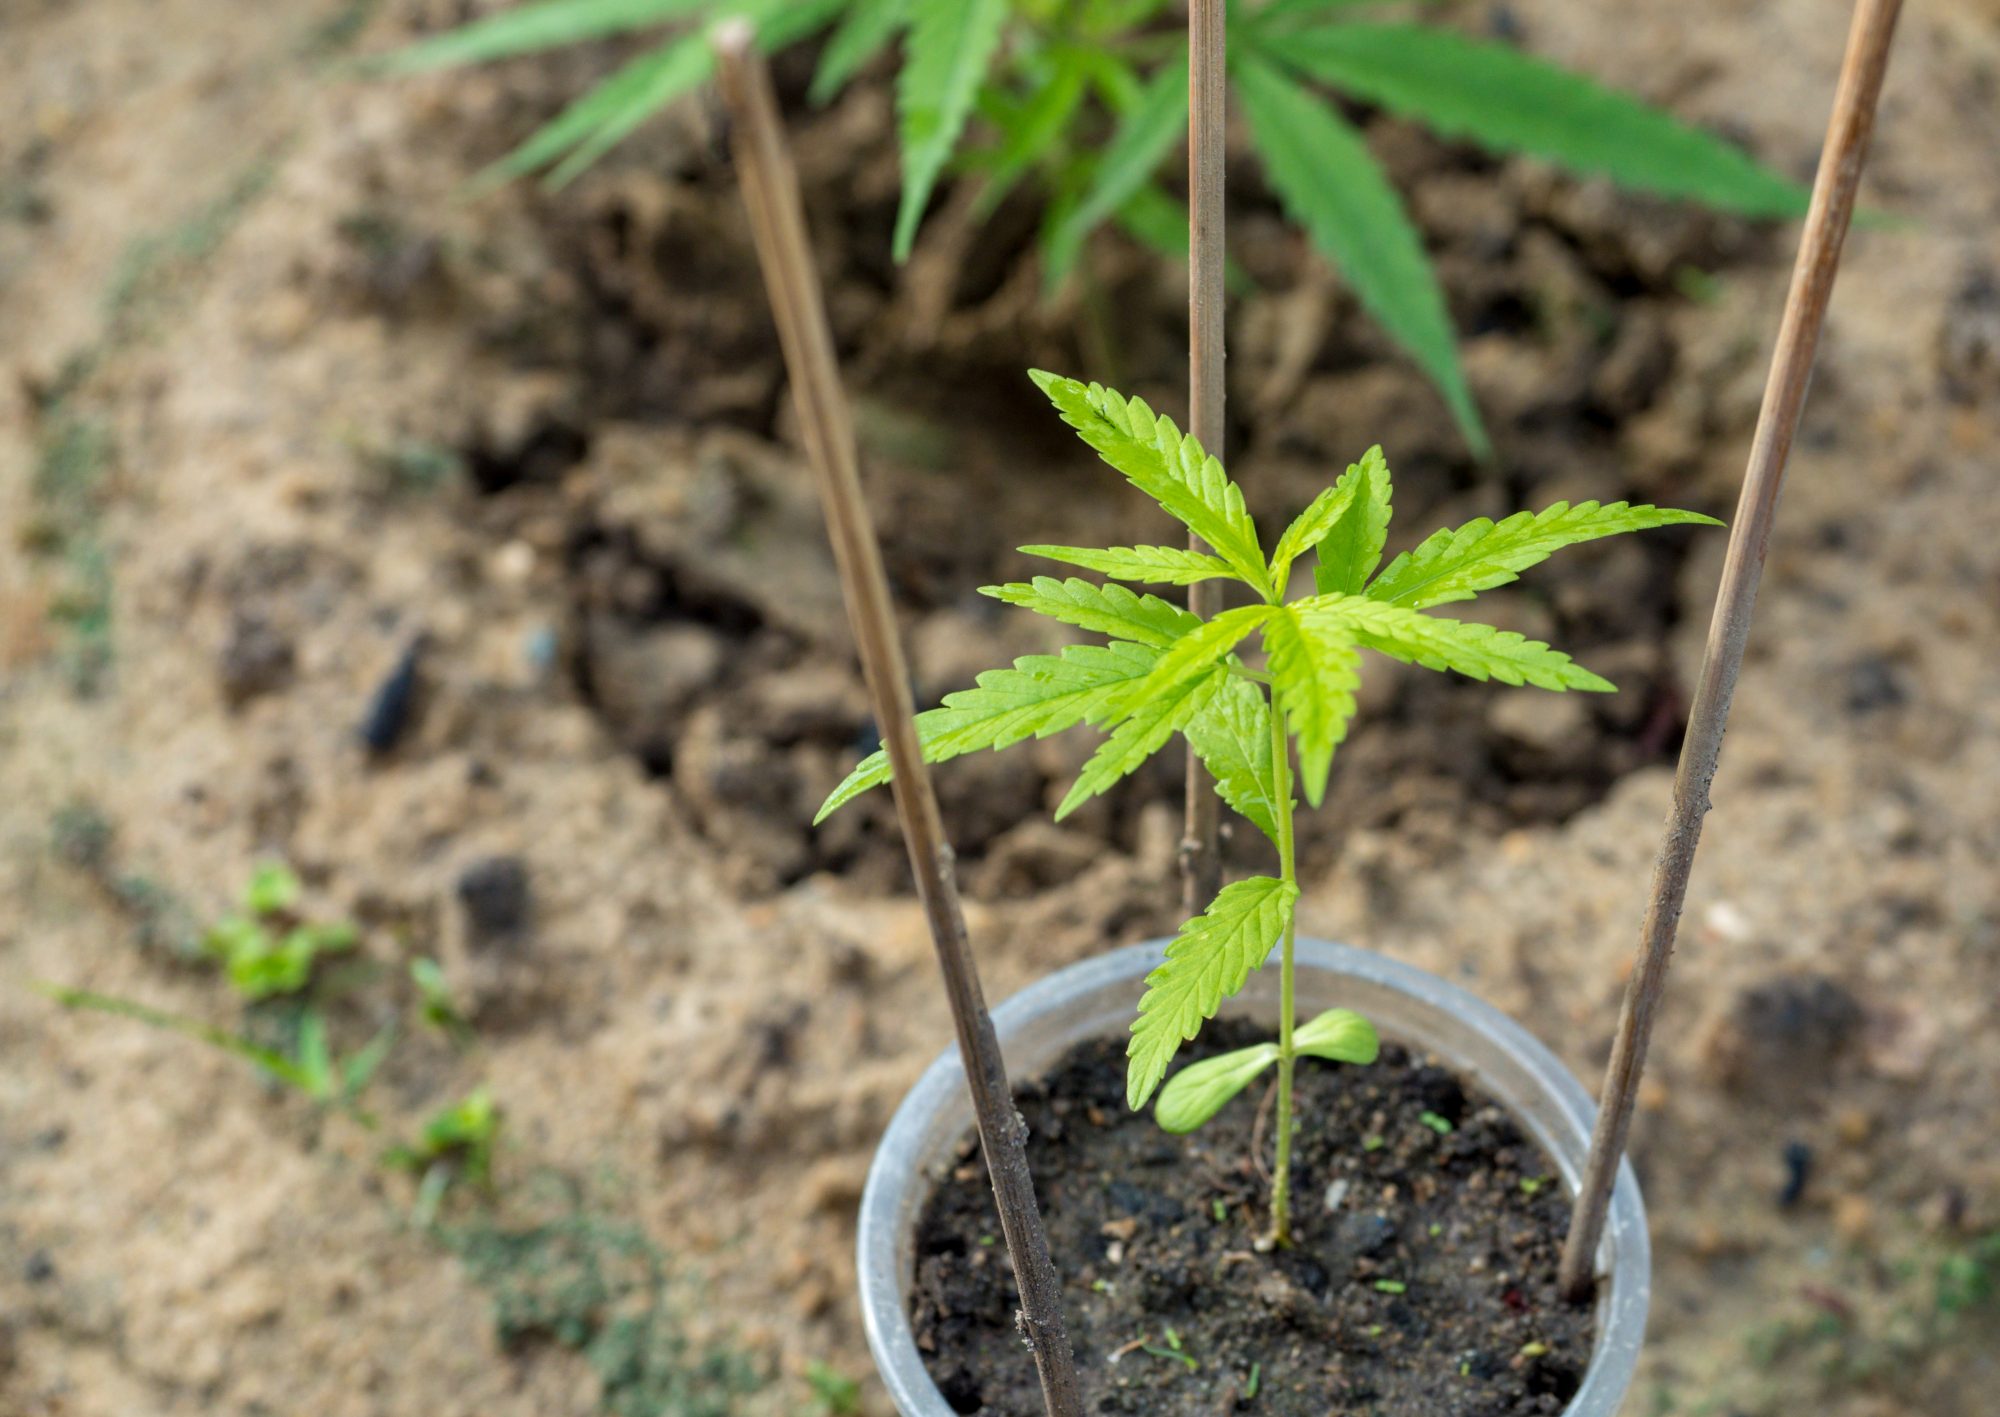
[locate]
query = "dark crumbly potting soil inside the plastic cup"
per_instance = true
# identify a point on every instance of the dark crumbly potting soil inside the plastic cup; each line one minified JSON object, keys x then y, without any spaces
{"x":1421,"y":1284}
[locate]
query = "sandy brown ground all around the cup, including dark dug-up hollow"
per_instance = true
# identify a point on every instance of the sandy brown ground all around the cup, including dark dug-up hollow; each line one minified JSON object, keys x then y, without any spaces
{"x":279,"y":403}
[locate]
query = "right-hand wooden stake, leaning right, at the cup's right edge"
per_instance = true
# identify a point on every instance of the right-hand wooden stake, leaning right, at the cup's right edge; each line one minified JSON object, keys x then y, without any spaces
{"x":1785,"y":395}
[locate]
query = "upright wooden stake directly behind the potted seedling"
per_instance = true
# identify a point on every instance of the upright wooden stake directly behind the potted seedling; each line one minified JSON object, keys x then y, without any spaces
{"x":1201,"y":850}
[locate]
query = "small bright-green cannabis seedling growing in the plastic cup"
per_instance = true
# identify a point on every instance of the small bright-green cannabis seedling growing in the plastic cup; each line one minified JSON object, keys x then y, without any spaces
{"x":1167,"y":671}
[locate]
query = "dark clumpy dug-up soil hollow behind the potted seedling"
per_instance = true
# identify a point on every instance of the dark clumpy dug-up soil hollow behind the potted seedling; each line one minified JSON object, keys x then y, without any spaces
{"x":1563,"y":293}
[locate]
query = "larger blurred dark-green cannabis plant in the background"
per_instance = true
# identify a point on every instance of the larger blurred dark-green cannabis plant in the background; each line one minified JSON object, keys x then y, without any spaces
{"x":1091,"y":97}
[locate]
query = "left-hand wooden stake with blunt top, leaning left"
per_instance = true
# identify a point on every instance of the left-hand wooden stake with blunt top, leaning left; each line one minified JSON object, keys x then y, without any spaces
{"x":779,"y":223}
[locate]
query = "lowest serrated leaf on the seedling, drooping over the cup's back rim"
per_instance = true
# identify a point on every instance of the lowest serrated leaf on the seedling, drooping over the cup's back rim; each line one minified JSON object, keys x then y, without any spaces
{"x":1205,"y":966}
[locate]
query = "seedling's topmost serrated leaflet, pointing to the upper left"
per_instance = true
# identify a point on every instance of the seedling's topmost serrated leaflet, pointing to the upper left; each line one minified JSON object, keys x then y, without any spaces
{"x":1165,"y":465}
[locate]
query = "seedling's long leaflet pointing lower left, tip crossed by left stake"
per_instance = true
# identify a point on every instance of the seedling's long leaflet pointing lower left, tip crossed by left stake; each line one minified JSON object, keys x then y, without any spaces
{"x":1037,"y":697}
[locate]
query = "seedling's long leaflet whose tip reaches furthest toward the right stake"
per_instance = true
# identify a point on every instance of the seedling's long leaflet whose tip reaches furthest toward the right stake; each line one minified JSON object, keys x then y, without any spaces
{"x":1459,"y":563}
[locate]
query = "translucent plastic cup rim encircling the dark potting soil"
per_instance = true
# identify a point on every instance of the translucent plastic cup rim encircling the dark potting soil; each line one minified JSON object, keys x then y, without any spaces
{"x":1097,"y":998}
